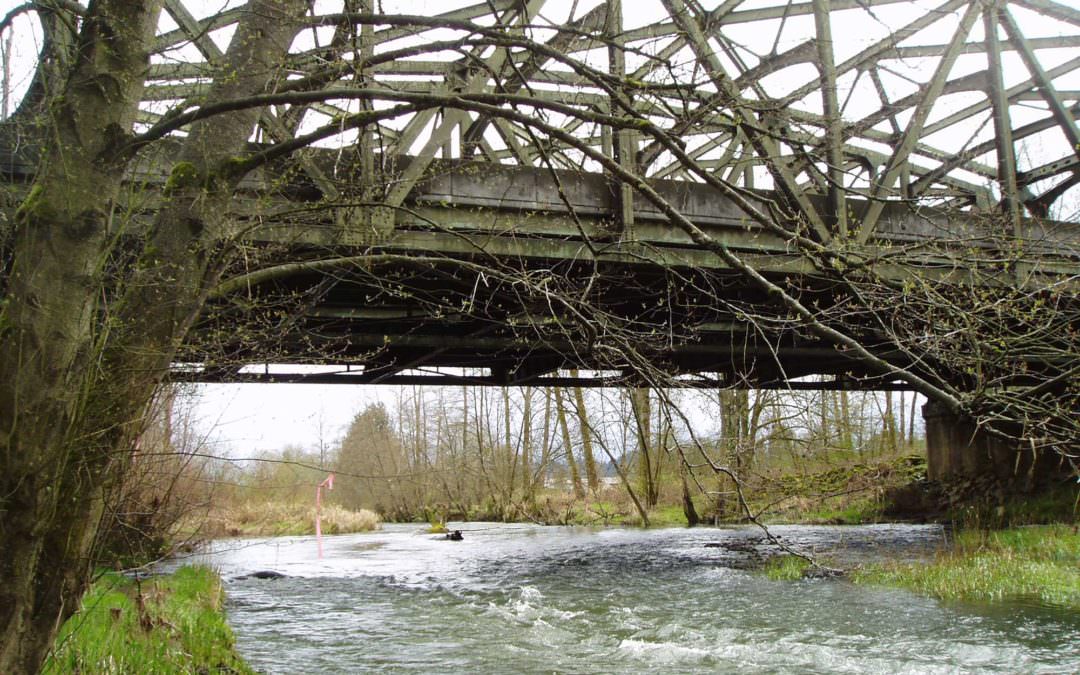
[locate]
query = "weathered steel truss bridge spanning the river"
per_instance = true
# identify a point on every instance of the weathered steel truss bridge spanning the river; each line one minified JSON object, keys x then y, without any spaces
{"x":468,"y":207}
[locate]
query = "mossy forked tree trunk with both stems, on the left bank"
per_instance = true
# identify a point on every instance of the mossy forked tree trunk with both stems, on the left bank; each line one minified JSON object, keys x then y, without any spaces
{"x":84,"y":346}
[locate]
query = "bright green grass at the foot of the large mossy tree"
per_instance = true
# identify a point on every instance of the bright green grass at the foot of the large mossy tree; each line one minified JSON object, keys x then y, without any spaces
{"x":166,"y":625}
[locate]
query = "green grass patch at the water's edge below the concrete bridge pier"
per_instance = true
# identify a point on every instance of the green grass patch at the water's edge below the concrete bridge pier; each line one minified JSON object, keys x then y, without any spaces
{"x":1039,"y":563}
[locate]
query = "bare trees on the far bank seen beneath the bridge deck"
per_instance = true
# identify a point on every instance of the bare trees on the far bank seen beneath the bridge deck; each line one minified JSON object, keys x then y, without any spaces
{"x":496,"y":454}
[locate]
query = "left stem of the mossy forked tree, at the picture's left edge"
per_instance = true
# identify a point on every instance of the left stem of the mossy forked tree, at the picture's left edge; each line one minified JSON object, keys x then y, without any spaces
{"x":55,"y":469}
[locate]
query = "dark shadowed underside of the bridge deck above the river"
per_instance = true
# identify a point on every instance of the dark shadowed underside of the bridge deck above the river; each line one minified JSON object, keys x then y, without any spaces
{"x":457,"y":322}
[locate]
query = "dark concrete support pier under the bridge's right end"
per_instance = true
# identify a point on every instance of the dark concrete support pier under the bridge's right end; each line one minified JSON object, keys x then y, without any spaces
{"x":957,"y":449}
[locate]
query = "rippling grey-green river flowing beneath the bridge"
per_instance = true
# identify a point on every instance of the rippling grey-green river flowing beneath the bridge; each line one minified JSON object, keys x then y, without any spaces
{"x":512,"y":599}
